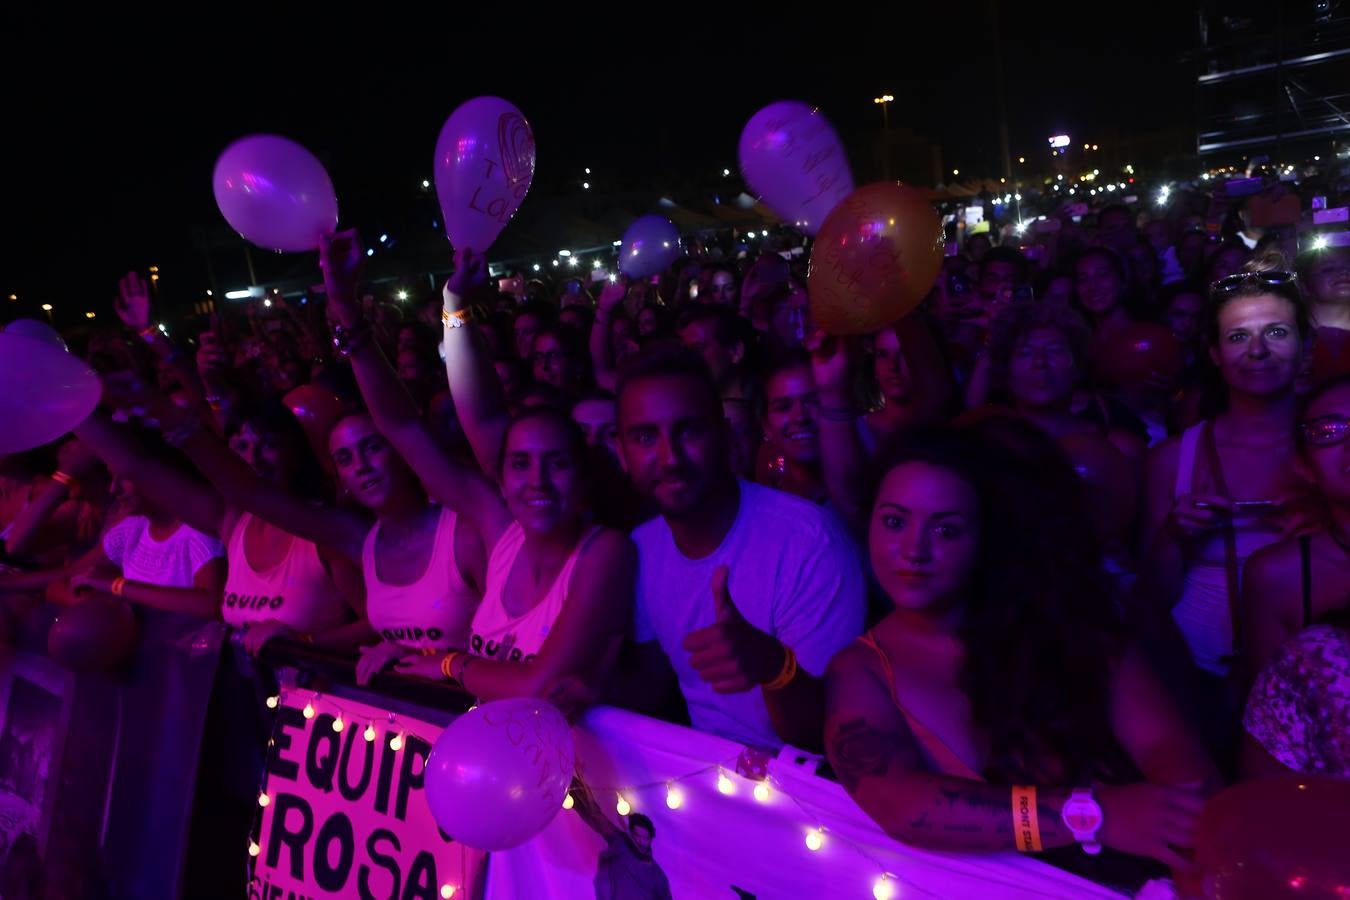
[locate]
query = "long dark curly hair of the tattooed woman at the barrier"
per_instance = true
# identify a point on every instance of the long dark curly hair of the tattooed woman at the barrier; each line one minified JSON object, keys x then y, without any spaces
{"x":1039,"y":634}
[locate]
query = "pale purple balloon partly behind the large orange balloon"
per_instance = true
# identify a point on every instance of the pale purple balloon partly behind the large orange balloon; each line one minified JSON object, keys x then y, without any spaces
{"x":794,"y":161}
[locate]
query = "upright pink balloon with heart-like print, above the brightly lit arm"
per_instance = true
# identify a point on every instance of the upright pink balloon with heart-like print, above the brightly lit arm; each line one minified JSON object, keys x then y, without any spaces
{"x":485,"y":161}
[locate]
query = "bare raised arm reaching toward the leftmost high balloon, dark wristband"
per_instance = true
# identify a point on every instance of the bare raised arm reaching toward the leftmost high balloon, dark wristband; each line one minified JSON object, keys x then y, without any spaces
{"x":394,"y":410}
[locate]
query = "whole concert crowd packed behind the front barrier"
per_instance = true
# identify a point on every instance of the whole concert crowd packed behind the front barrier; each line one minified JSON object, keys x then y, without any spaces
{"x":956,"y":557}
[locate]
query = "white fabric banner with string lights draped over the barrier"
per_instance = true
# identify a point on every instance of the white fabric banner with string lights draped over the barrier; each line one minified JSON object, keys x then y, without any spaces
{"x":715,"y":843}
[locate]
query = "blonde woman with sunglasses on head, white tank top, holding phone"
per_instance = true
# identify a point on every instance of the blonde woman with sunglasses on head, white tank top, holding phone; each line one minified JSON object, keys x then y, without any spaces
{"x":1221,"y":490}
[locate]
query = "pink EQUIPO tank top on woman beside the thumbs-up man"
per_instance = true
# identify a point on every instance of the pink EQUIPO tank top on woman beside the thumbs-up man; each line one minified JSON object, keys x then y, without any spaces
{"x":496,"y":634}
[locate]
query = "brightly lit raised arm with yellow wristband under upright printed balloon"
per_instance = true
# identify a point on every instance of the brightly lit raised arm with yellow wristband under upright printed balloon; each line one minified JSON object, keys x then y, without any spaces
{"x":473,"y":383}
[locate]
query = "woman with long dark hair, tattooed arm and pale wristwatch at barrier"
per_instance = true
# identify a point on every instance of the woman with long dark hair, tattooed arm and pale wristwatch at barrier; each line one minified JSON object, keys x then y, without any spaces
{"x":1001,"y":667}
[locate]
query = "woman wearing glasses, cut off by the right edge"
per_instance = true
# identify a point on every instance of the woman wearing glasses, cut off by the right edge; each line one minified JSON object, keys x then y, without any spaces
{"x":1293,"y":585}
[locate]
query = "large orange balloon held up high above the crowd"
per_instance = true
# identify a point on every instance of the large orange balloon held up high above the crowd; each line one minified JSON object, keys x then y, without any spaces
{"x":877,"y":257}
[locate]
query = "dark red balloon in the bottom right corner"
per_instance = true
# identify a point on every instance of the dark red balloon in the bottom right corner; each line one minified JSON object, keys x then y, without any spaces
{"x":1282,"y":837}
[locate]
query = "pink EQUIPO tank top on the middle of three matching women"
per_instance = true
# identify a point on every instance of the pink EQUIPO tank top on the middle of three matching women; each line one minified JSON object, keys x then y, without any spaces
{"x":435,"y":611}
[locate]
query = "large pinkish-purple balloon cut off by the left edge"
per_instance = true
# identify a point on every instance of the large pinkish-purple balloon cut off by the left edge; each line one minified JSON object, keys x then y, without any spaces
{"x":45,"y":392}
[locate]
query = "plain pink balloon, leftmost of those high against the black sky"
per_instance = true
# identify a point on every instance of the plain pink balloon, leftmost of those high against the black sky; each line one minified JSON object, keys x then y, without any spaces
{"x":275,"y":194}
